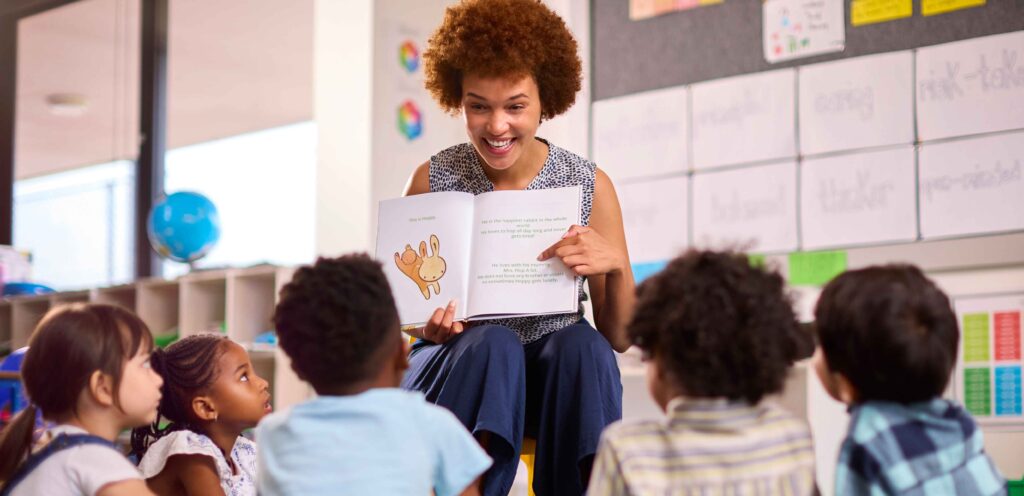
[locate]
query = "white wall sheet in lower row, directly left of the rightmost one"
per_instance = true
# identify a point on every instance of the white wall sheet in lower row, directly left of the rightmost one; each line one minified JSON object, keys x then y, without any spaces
{"x":860,"y":198}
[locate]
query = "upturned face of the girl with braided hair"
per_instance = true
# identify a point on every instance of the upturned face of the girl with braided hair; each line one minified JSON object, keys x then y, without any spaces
{"x":241,"y":396}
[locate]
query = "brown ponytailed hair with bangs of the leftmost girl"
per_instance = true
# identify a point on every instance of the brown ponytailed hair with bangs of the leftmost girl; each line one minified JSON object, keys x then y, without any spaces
{"x":69,"y":345}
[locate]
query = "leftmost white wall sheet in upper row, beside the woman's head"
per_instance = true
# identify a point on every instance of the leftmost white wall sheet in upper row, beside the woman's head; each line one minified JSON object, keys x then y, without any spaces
{"x":643,"y":135}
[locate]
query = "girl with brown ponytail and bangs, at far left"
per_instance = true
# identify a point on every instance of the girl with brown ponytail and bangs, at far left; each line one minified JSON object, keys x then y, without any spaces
{"x":88,"y":369}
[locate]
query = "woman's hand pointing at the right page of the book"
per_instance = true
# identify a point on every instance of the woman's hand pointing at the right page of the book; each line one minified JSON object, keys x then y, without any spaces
{"x":586,"y":253}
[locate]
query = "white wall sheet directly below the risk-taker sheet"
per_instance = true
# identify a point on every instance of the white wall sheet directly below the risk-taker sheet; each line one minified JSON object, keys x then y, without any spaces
{"x":972,"y":186}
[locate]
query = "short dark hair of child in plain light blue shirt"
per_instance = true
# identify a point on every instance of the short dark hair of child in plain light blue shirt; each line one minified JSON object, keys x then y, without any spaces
{"x":333,"y":317}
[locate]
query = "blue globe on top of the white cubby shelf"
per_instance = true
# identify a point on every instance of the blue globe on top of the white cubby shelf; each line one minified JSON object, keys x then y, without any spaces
{"x":184,"y":227}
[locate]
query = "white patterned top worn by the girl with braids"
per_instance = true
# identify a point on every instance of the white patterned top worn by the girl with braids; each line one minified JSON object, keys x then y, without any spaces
{"x":189,"y":443}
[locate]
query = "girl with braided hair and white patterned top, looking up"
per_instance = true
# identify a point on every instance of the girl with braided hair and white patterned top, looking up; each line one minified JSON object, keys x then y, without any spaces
{"x":211,"y":395}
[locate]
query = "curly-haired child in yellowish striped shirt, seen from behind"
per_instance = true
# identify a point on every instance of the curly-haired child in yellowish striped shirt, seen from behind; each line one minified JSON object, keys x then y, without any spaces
{"x":718,"y":336}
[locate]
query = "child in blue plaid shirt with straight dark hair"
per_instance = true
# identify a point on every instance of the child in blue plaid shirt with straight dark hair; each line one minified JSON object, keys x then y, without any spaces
{"x":888,"y":343}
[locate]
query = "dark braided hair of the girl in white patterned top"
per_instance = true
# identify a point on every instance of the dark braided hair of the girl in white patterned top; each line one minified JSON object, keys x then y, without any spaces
{"x":189,"y":368}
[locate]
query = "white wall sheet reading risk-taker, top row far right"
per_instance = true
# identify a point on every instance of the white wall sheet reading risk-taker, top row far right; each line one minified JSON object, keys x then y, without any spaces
{"x":972,"y":87}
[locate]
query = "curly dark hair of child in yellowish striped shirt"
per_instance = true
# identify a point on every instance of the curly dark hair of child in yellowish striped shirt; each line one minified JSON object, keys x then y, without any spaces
{"x":718,"y":326}
